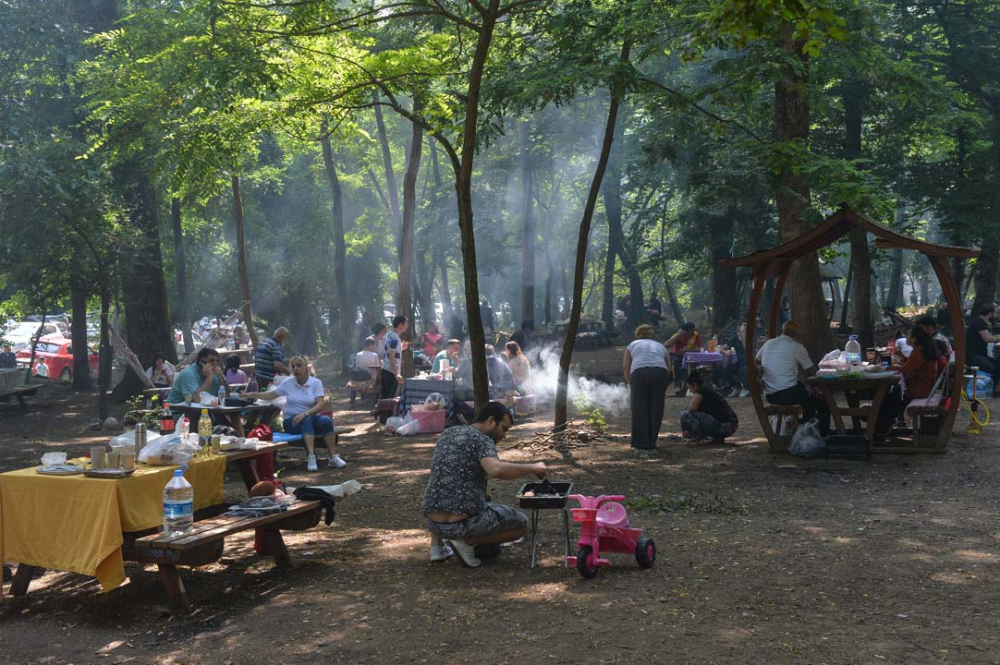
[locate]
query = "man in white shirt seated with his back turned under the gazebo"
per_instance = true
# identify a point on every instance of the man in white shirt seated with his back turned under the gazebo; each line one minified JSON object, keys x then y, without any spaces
{"x":780,"y":361}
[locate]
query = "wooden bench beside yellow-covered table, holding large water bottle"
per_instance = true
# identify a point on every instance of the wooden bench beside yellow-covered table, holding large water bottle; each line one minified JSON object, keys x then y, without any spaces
{"x":204,"y":544}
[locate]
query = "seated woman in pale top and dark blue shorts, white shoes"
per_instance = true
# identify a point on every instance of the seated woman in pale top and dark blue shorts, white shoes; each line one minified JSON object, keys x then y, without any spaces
{"x":306,"y":400}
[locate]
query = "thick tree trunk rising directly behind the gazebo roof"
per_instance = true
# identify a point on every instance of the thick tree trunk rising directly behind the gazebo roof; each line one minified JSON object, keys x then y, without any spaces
{"x":791,"y":125}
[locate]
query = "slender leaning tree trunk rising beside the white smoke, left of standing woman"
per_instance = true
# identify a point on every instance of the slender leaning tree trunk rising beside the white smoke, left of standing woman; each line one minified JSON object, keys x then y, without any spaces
{"x":566,"y":359}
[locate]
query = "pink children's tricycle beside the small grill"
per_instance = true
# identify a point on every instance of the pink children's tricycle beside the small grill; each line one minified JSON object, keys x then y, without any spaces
{"x":604,"y":527}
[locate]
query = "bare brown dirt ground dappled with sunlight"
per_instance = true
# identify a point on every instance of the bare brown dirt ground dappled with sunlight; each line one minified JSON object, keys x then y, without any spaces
{"x":760,"y":559}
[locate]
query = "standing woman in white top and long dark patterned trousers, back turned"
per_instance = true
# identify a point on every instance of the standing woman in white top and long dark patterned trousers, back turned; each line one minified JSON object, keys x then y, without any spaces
{"x":646,"y":371}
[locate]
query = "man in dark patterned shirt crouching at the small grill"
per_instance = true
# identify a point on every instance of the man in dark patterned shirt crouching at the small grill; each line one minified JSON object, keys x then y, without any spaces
{"x":455,"y":505}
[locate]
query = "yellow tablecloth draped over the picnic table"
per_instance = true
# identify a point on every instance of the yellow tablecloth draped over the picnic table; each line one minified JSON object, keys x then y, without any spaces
{"x":75,"y":523}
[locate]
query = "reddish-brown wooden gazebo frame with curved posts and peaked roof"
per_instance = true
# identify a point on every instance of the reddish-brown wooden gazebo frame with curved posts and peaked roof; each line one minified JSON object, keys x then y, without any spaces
{"x":777,"y":262}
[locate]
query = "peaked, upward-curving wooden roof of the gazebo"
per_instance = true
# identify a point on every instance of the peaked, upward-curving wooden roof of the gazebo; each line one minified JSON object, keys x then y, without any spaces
{"x":837,"y":226}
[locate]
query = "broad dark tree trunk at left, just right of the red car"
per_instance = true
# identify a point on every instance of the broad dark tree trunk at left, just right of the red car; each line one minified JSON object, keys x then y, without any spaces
{"x":147,"y":323}
